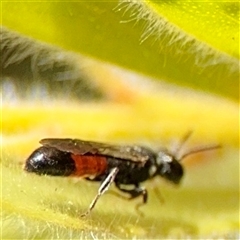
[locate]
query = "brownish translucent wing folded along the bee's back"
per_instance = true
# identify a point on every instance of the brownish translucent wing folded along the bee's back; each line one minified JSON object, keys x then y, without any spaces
{"x":81,"y":147}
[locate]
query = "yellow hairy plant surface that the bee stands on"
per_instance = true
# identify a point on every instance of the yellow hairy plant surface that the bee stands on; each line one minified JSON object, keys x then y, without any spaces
{"x":50,"y":207}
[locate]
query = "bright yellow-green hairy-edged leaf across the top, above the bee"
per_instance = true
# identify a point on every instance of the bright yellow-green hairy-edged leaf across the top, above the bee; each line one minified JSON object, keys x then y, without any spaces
{"x":193,"y":44}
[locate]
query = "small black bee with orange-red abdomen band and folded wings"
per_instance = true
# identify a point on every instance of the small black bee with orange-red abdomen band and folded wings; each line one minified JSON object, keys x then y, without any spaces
{"x":106,"y":163}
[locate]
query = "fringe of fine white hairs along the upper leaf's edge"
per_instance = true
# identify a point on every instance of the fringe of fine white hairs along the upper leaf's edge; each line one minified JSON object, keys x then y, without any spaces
{"x":169,"y":37}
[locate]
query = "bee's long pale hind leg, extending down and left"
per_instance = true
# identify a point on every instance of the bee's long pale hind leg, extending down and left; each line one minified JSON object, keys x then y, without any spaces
{"x":103,"y":188}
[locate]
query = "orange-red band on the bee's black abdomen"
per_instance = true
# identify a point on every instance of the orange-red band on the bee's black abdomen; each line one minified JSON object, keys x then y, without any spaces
{"x":89,"y":165}
